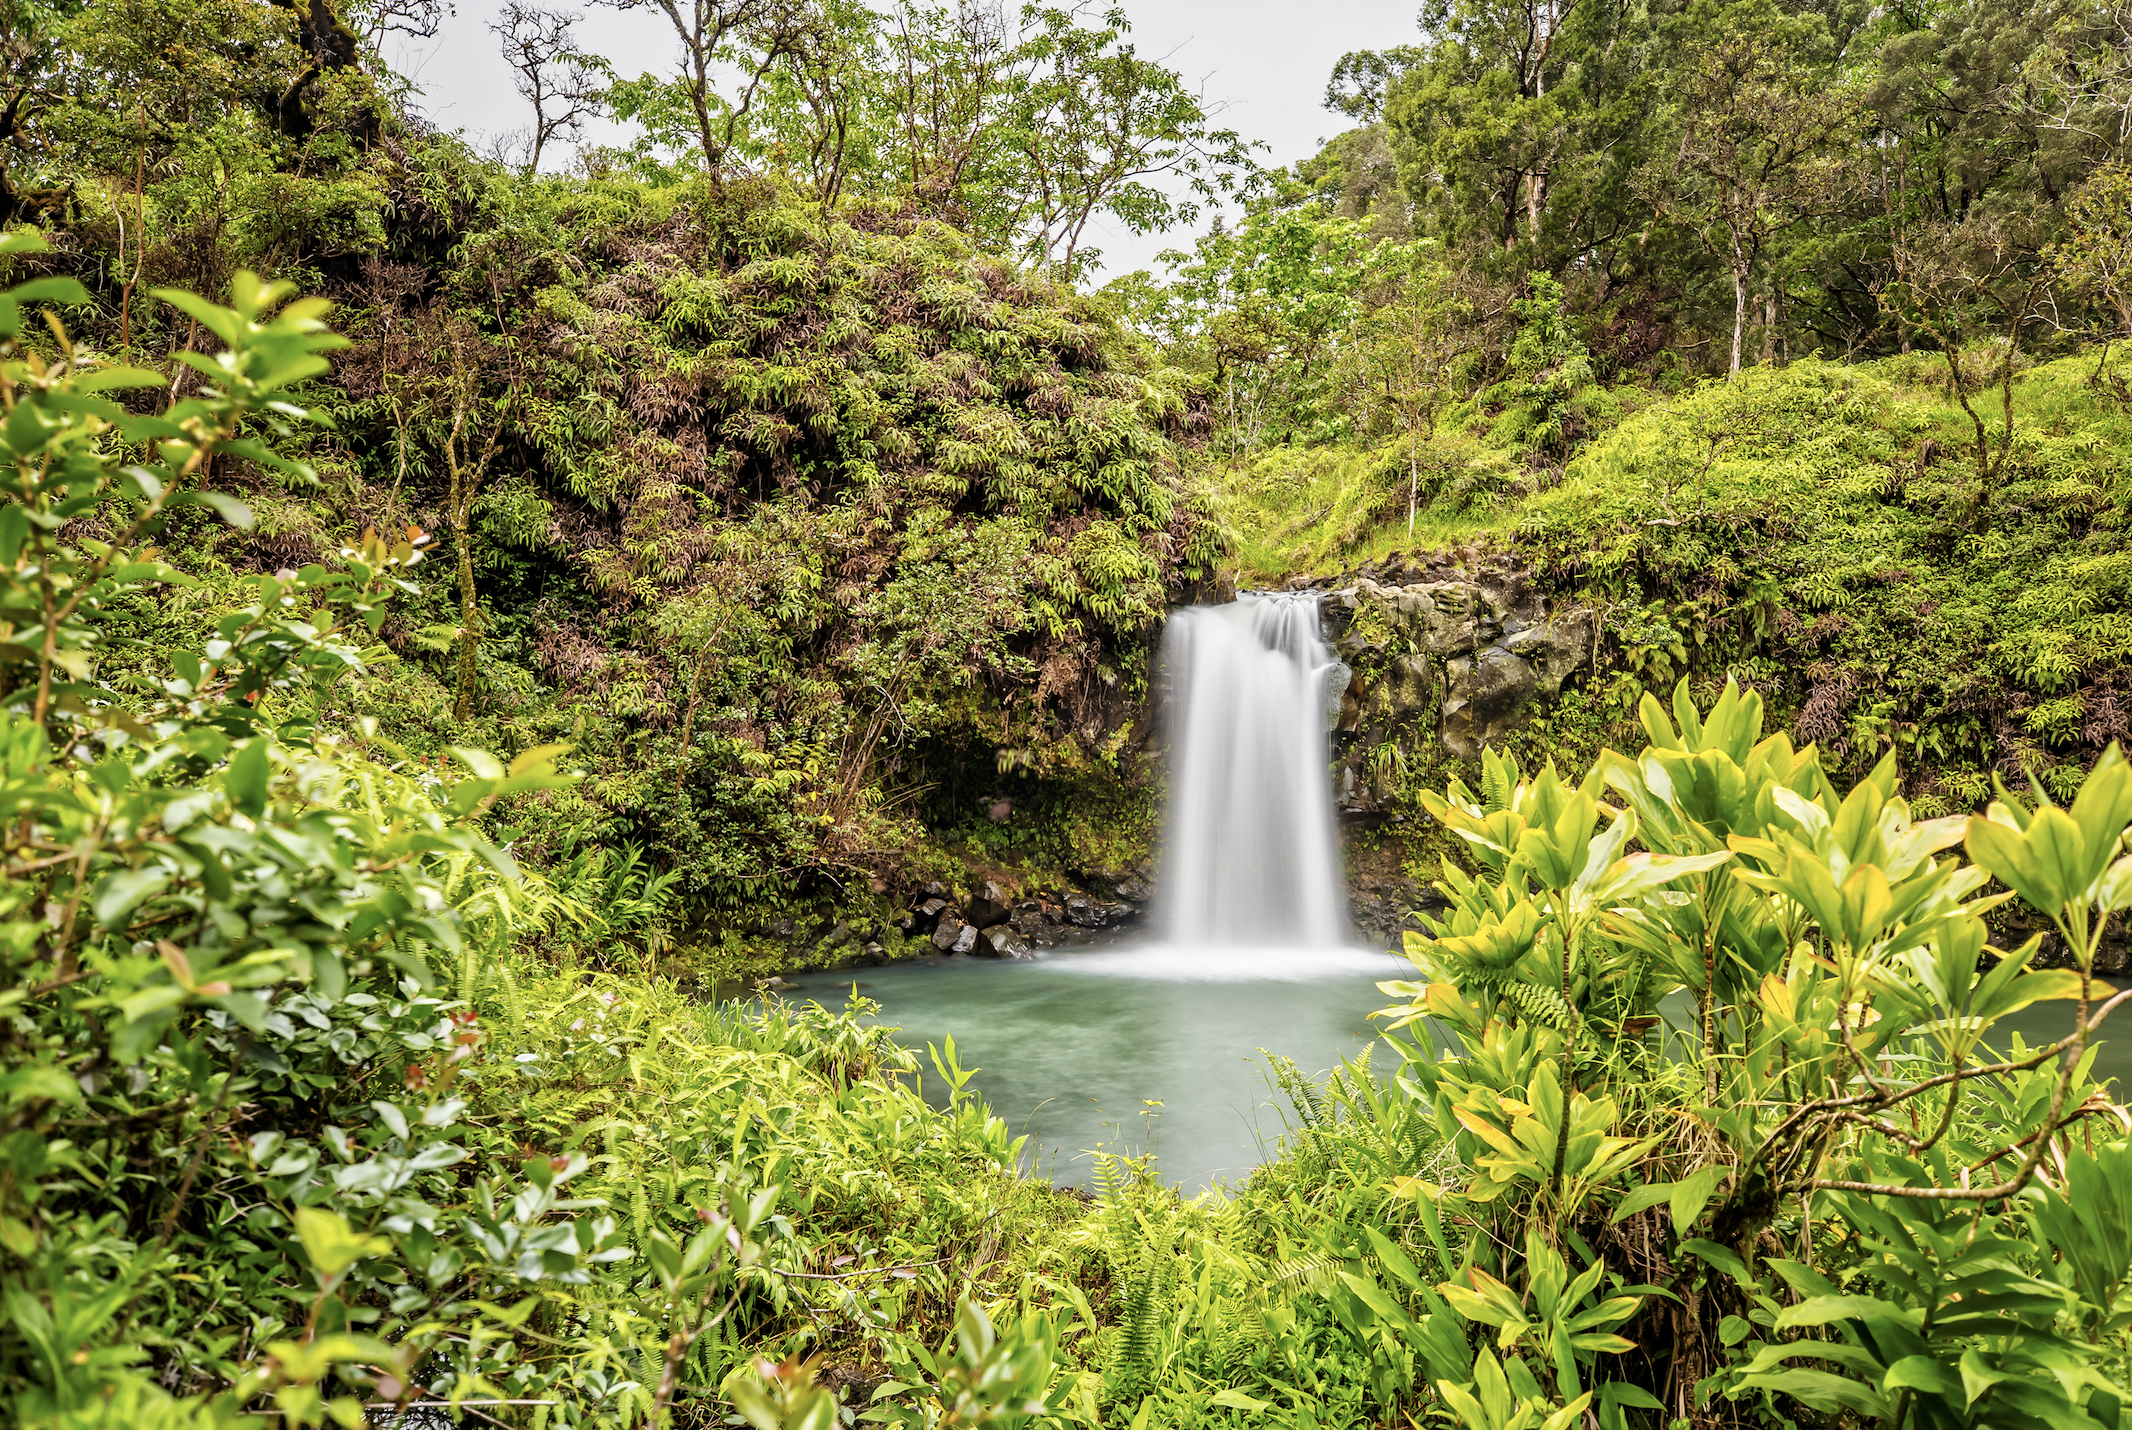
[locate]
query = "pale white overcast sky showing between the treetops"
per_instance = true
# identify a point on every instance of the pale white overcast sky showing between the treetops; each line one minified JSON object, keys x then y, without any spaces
{"x":1263,"y":59}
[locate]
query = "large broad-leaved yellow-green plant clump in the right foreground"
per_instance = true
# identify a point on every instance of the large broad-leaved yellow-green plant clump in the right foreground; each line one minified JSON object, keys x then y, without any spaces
{"x":1835,"y":1184}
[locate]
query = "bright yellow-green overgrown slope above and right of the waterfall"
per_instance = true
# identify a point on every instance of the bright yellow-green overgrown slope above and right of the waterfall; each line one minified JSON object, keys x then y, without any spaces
{"x":1818,"y":532}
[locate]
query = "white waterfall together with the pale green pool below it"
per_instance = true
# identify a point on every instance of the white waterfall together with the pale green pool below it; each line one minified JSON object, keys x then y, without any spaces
{"x":1159,"y":1045}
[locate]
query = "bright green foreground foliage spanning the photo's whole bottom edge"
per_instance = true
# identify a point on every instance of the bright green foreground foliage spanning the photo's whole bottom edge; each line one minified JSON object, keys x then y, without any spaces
{"x":314,"y":1107}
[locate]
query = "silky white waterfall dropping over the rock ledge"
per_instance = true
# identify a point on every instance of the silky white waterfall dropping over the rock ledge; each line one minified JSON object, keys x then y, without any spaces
{"x":1250,"y":856}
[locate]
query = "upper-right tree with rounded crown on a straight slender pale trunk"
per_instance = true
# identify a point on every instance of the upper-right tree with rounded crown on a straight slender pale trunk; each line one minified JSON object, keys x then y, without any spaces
{"x":1758,"y":135}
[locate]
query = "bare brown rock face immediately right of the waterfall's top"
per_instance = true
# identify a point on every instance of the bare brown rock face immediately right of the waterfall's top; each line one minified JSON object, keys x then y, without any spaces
{"x":1447,"y":657}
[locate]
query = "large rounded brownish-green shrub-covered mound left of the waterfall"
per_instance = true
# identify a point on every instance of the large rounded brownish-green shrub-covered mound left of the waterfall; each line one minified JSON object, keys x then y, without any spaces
{"x":828,"y":523}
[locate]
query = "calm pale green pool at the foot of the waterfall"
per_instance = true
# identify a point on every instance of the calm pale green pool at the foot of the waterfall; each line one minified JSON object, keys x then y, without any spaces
{"x":1159,"y":1050}
